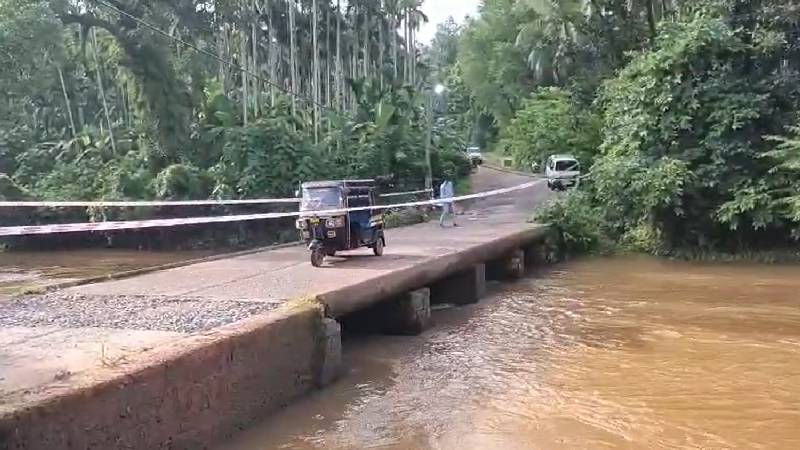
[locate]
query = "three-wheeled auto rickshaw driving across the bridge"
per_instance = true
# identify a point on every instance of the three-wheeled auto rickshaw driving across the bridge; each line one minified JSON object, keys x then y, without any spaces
{"x":326,"y":228}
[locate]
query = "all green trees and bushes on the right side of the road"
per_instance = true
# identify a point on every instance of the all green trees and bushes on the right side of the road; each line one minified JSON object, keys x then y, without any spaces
{"x":686,"y":114}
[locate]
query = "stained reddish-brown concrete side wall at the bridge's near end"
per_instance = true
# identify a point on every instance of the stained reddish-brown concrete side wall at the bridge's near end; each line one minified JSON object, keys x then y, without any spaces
{"x":184,"y":395}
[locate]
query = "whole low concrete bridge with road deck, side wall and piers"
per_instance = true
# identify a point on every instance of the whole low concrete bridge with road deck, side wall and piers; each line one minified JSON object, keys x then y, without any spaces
{"x":183,"y":357}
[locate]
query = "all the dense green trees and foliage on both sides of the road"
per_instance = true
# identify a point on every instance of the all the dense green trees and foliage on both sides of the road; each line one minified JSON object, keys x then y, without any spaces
{"x":686,"y":113}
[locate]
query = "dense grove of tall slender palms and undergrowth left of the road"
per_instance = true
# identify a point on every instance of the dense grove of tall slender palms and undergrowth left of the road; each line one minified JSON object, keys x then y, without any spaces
{"x":99,"y":105}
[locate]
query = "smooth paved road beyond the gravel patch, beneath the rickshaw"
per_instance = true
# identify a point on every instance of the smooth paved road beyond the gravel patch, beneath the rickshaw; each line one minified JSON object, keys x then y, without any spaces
{"x":282,"y":274}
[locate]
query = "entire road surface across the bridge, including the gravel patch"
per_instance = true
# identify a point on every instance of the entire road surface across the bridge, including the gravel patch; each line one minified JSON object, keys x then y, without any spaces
{"x":44,"y":340}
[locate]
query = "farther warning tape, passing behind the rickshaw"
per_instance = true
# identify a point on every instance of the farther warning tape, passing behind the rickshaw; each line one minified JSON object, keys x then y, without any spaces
{"x":131,"y":204}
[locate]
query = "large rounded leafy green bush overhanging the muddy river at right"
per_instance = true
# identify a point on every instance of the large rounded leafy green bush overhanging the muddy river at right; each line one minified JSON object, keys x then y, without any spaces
{"x":692,"y":113}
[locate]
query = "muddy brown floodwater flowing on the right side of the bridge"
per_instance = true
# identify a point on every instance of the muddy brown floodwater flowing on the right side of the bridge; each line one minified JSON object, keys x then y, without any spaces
{"x":604,"y":353}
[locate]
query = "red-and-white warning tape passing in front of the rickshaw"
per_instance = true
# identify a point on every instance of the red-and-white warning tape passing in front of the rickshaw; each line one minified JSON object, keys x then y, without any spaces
{"x":164,"y":223}
